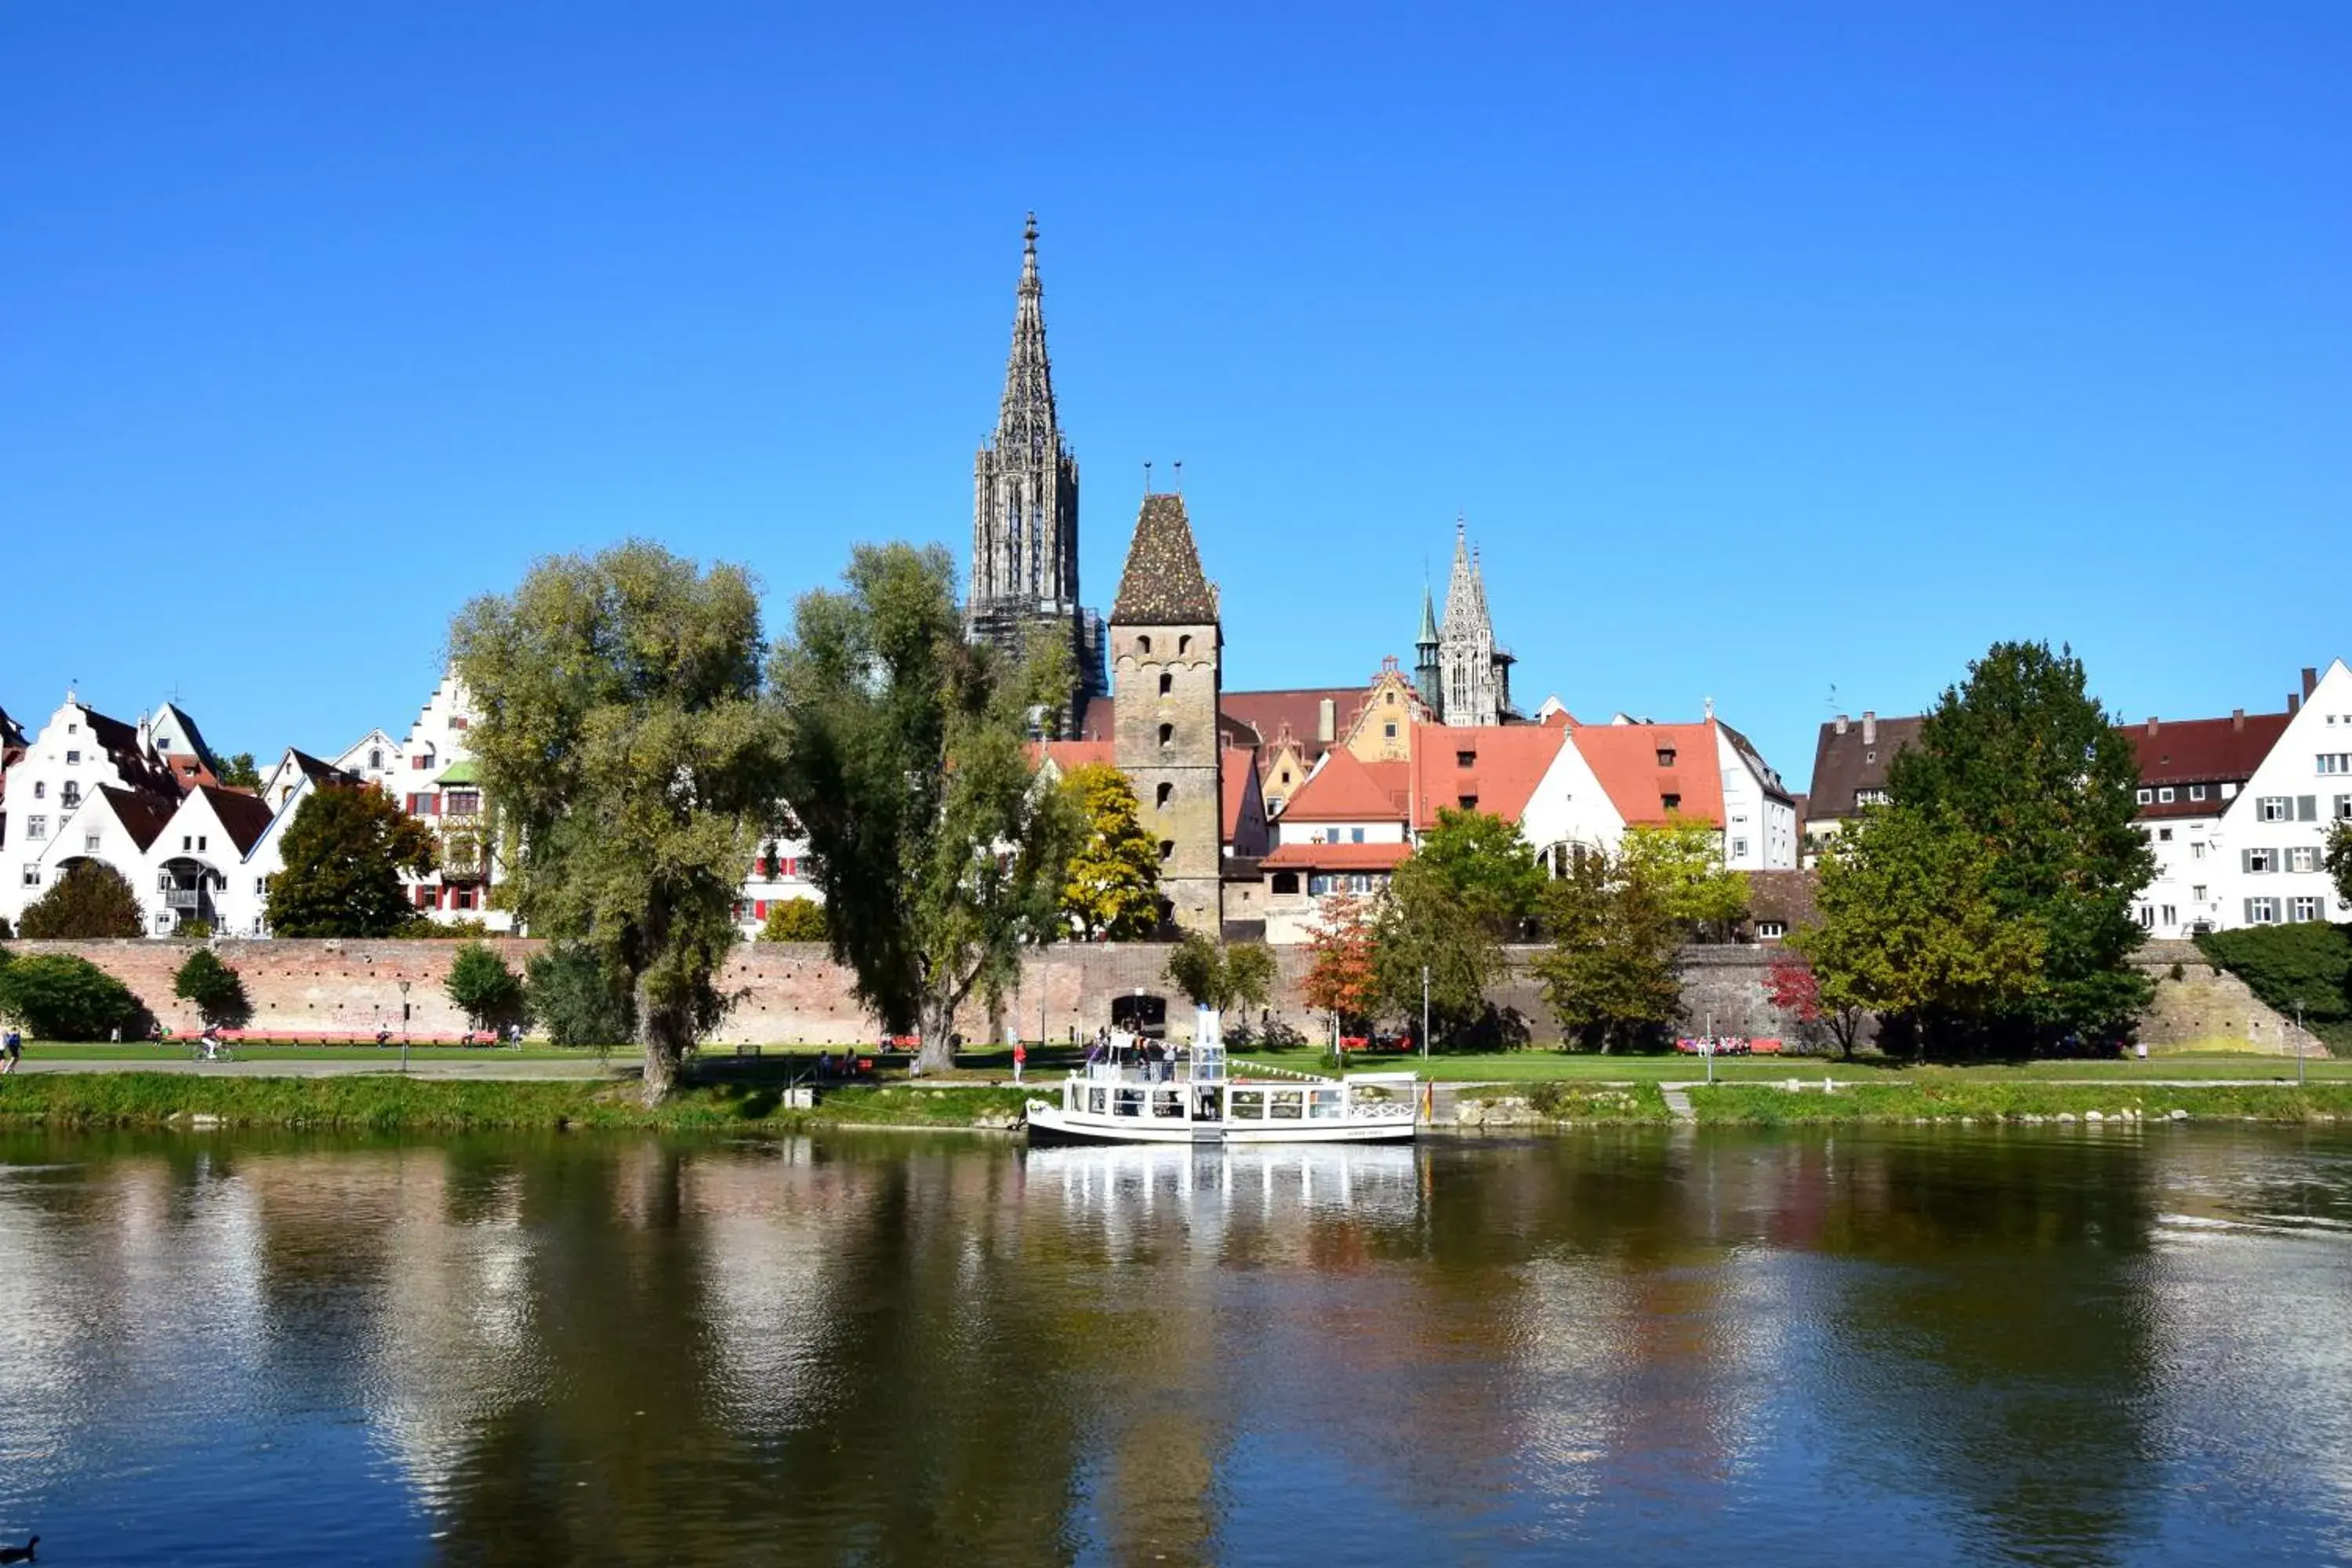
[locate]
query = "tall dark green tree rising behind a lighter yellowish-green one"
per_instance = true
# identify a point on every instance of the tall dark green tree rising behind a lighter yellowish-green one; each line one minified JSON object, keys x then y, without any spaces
{"x":2029,"y":765}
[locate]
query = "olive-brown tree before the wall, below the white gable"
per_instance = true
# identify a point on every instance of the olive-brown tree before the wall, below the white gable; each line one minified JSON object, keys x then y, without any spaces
{"x":1612,"y":970}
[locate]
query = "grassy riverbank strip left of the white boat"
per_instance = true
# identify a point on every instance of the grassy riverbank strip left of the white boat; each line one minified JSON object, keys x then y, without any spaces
{"x":401,"y":1104}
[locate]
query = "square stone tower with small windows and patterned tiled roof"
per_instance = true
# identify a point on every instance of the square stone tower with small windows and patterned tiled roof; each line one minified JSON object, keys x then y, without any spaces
{"x":1168,"y":664}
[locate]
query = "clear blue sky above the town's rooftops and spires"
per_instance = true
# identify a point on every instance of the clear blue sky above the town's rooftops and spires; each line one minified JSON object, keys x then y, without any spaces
{"x":1768,"y":351}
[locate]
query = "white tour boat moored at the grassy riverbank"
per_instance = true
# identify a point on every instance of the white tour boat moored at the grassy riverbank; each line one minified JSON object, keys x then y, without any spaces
{"x":1191,"y":1099}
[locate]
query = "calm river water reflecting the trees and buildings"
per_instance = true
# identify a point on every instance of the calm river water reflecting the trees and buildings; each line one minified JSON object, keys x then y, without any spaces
{"x":2057,"y":1348}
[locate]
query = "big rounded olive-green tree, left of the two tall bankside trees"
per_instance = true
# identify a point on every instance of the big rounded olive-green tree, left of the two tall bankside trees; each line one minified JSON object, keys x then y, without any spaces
{"x":624,"y":732}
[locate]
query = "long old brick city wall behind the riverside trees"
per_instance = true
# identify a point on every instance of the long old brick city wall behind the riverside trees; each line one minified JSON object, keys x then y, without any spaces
{"x":791,"y":993}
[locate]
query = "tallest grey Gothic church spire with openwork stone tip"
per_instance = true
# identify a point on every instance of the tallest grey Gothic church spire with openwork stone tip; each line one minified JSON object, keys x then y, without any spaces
{"x":1024,"y":504}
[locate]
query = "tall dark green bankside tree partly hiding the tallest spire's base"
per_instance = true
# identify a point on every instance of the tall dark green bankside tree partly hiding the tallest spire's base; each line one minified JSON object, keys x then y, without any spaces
{"x":907,"y":768}
